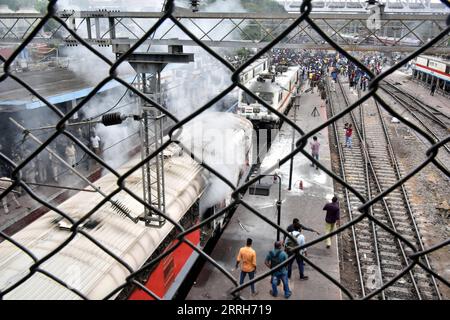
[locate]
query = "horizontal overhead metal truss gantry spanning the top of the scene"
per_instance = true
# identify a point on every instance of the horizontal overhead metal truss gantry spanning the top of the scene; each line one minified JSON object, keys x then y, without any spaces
{"x":353,"y":31}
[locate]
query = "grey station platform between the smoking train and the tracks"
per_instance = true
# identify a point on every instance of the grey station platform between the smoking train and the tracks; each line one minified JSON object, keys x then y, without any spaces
{"x":304,"y":204}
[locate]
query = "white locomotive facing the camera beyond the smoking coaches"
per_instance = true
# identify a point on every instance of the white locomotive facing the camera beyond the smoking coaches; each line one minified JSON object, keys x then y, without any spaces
{"x":277,"y":88}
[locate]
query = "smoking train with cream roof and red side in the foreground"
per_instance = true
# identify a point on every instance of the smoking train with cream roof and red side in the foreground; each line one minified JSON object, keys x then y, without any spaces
{"x":86,"y":269}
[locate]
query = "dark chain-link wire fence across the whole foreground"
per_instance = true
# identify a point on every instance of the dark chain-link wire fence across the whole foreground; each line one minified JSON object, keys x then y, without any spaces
{"x":415,"y":259}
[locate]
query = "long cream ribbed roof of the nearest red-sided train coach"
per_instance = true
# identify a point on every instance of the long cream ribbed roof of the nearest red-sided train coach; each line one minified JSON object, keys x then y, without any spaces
{"x":81,"y":263}
